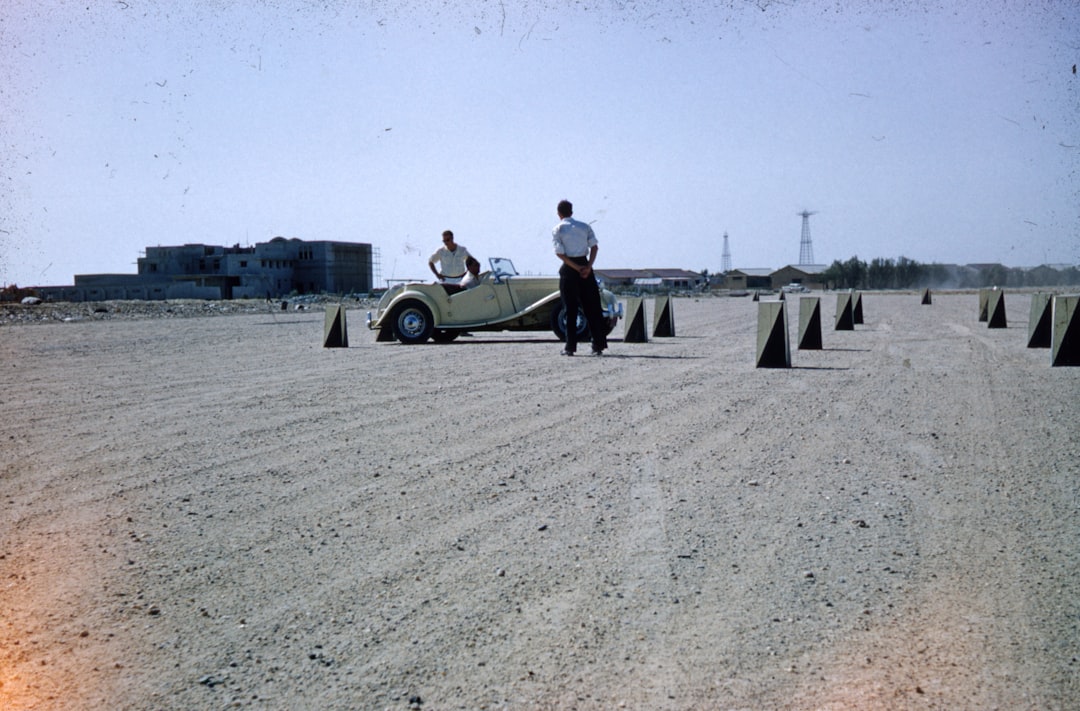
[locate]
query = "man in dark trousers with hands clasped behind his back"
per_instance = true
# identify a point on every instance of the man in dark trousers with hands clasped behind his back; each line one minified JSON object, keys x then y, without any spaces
{"x":576,"y":246}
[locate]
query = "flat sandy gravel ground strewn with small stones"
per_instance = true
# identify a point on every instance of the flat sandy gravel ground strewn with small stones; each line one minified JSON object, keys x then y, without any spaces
{"x":219,"y":513}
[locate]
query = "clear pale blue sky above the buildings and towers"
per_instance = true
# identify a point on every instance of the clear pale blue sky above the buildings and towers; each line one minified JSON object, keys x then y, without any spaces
{"x":940,"y":131}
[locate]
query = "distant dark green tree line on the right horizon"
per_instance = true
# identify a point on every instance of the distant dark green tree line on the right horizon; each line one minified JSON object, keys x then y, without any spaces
{"x":909,"y":274}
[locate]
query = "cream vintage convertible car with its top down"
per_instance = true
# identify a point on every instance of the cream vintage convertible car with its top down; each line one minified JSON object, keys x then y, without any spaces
{"x":503,"y":301}
